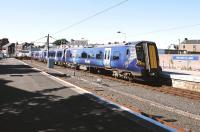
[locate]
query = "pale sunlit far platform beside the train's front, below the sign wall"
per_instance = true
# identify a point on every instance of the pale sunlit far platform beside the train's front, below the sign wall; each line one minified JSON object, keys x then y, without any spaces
{"x":183,"y":79}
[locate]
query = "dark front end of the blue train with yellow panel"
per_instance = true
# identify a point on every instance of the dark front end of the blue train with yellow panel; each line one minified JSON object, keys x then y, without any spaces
{"x":147,"y":56}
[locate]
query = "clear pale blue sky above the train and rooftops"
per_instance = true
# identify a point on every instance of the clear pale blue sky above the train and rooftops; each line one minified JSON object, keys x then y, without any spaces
{"x":162,"y":21}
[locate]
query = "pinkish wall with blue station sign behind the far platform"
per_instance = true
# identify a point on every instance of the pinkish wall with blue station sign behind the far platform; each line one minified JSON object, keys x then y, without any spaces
{"x":180,"y":61}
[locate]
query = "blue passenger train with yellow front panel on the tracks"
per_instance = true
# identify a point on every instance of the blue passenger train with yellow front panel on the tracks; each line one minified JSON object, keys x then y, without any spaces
{"x":133,"y":59}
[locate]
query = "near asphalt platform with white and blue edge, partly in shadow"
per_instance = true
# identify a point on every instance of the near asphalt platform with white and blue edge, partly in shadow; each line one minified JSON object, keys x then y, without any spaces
{"x":31,"y":101}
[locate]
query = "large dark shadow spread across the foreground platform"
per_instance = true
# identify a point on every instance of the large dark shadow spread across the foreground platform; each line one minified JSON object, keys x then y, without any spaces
{"x":24,"y":111}
